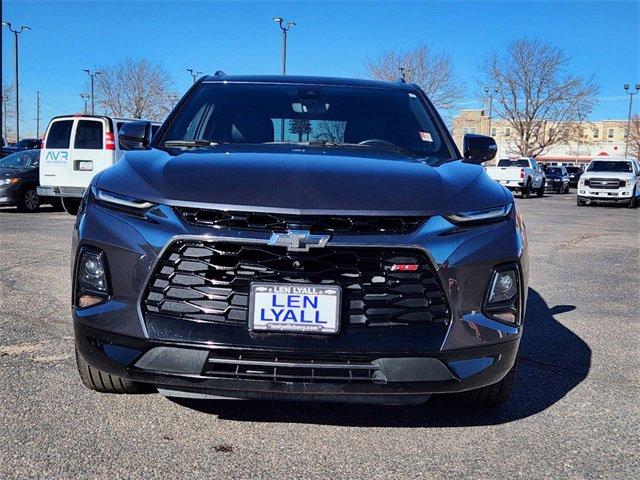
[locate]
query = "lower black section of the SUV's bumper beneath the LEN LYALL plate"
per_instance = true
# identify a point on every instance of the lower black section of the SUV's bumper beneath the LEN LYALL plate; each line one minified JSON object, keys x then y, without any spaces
{"x":179,"y":368}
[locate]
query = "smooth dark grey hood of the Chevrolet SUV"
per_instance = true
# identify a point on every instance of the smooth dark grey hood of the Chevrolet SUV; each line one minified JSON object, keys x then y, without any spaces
{"x":300,"y":178}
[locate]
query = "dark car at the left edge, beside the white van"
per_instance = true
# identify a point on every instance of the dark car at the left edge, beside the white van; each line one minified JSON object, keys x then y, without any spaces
{"x":19,"y":174}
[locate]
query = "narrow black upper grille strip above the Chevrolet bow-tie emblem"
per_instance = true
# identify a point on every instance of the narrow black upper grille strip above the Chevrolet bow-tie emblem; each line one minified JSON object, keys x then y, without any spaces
{"x":276,"y":222}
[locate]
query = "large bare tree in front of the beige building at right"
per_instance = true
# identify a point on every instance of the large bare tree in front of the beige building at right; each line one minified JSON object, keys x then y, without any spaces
{"x":543,"y":103}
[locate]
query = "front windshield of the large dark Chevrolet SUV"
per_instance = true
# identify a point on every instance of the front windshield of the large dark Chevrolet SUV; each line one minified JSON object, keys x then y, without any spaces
{"x":259,"y":113}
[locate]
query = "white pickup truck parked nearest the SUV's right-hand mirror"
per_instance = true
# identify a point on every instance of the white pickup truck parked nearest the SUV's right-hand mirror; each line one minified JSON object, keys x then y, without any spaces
{"x":522,"y":175}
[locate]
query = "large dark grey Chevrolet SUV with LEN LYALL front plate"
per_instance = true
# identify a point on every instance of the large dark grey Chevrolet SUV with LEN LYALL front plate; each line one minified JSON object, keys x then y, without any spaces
{"x":371,"y":263}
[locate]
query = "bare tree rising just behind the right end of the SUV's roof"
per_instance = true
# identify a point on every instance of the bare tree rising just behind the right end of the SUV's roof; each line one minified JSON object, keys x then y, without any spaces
{"x":431,"y":71}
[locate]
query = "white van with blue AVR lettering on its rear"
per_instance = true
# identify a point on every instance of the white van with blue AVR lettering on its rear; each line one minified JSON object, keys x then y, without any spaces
{"x":74,"y":149}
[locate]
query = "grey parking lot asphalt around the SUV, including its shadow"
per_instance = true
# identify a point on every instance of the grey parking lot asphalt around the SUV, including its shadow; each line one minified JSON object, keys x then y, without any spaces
{"x":575,"y":411}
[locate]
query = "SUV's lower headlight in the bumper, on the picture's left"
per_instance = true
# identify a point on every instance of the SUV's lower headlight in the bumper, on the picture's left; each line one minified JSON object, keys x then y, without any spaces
{"x":91,"y":278}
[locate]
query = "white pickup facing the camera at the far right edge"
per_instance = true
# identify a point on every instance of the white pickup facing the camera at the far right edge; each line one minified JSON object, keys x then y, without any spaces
{"x":614,"y":180}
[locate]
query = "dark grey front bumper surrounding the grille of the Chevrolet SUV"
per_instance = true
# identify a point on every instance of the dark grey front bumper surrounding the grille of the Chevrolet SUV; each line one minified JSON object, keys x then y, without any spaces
{"x":469,"y":351}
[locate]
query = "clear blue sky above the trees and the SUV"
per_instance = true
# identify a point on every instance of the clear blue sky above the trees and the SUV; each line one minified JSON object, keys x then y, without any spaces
{"x":332,"y":38}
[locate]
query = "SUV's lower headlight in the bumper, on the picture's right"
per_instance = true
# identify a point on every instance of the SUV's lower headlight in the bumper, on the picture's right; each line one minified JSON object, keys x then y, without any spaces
{"x":503,"y":296}
